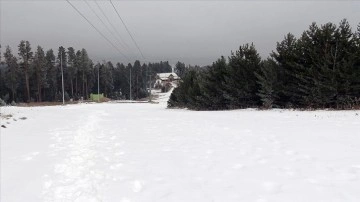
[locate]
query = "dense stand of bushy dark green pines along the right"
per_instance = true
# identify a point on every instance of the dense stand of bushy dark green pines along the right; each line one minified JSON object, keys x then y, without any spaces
{"x":320,"y":69}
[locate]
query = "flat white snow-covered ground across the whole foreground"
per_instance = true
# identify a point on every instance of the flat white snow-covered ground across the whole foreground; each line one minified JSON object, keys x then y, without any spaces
{"x":116,"y":152}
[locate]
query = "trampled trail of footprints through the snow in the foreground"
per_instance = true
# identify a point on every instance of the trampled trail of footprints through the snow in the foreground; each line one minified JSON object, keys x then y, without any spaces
{"x":75,"y":177}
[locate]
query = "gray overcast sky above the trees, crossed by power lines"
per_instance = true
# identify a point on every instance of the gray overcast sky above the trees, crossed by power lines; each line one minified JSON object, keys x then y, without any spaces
{"x":193,"y":32}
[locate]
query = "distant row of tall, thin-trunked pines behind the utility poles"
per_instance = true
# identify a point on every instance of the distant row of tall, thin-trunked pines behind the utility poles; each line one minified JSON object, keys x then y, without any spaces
{"x":30,"y":76}
